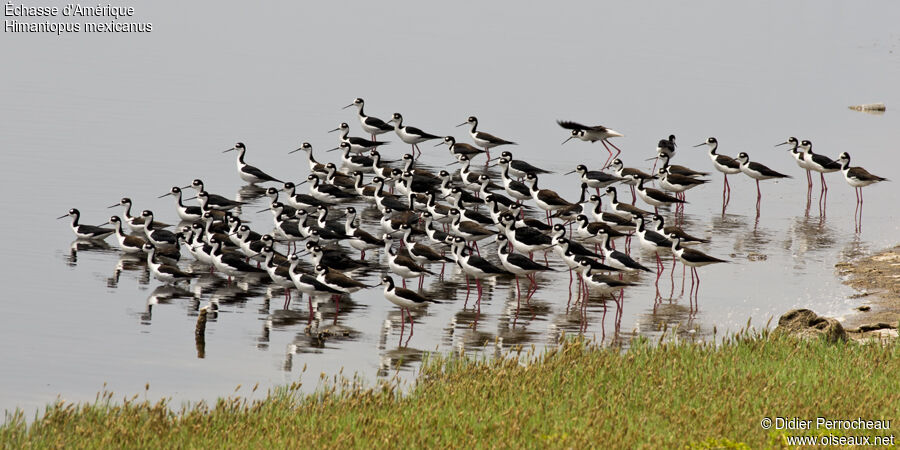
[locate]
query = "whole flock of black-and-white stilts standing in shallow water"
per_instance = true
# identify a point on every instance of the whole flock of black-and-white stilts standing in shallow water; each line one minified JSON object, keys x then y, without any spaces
{"x":450,"y":213}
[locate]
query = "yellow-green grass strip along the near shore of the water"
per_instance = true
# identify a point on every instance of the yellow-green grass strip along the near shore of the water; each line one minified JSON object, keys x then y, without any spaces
{"x":671,"y":394}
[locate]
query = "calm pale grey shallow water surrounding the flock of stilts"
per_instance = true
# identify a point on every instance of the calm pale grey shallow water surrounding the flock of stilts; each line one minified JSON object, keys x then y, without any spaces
{"x":87,"y":119}
